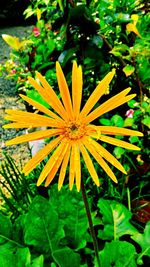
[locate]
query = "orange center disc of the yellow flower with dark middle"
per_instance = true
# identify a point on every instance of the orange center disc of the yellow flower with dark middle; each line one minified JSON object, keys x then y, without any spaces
{"x":74,"y":130}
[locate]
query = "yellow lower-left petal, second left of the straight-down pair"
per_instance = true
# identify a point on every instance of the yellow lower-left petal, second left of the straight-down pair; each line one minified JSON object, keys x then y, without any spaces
{"x":55,"y":168}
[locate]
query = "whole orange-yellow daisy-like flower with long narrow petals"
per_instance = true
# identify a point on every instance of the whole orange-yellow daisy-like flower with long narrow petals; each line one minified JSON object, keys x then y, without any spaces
{"x":74,"y":133}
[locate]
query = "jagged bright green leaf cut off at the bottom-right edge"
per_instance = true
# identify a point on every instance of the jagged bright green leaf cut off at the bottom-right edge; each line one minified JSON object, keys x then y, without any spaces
{"x":144,"y":241}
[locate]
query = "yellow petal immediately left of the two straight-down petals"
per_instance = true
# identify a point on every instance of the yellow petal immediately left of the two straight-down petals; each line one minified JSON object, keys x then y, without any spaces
{"x":63,"y":168}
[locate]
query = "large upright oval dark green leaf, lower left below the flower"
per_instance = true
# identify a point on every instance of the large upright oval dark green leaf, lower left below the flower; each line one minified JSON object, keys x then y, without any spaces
{"x":43,"y":229}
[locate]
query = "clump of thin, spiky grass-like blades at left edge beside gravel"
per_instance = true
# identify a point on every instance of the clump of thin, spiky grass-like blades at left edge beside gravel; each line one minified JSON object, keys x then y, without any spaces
{"x":19,"y":192}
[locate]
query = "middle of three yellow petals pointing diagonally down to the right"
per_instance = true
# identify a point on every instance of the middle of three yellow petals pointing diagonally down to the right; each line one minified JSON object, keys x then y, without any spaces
{"x":101,"y":162}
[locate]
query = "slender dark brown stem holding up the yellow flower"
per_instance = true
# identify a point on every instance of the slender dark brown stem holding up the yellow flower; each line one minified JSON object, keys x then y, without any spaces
{"x":88,"y":213}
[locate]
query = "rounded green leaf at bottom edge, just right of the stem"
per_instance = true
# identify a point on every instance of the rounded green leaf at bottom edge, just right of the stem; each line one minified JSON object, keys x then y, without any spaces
{"x":118,"y":254}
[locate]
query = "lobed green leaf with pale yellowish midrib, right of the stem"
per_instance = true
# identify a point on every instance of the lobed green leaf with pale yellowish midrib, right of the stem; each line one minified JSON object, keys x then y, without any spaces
{"x":115,"y":218}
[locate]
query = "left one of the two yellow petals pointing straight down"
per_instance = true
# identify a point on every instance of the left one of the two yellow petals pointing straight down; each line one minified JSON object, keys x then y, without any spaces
{"x":72,"y":168}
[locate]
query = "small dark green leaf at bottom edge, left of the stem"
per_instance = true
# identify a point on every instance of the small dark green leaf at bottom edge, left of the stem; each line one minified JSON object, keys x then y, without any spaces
{"x":66,"y":257}
